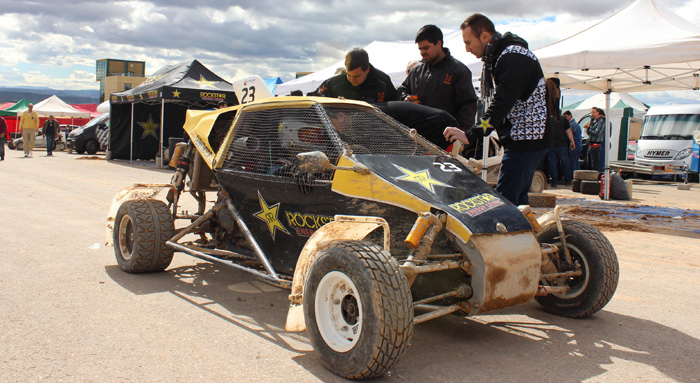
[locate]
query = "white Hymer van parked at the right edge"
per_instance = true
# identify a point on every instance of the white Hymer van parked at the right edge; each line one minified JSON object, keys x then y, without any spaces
{"x":666,"y":142}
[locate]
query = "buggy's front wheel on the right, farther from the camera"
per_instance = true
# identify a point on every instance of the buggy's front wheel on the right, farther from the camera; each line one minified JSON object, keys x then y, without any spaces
{"x":591,"y":254}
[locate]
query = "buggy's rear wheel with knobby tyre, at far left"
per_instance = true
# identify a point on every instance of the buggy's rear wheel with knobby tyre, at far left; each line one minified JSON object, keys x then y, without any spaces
{"x":141,"y":230}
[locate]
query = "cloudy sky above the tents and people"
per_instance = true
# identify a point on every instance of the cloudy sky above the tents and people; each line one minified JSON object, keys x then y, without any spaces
{"x":55,"y":43}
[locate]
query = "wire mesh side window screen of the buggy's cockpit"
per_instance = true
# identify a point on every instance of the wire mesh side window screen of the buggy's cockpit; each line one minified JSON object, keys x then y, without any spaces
{"x":266,"y":141}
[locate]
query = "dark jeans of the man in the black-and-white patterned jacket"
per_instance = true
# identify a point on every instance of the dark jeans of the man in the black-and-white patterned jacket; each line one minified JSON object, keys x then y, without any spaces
{"x":517,"y":170}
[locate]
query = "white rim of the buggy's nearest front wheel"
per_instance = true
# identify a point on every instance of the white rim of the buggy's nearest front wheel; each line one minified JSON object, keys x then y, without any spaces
{"x":338,"y":311}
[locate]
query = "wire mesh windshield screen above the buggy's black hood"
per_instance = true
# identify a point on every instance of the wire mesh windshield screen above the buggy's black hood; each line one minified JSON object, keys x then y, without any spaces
{"x":369,"y":131}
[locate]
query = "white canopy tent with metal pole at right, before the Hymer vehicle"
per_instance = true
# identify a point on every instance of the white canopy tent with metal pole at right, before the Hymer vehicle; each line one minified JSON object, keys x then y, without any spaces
{"x":641,"y":48}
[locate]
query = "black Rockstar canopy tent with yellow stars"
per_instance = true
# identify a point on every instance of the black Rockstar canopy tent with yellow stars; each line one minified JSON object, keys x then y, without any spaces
{"x":142,"y":119}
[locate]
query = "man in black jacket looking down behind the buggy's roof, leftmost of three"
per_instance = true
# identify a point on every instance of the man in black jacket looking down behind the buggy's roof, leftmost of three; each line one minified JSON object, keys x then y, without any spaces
{"x":361,"y":81}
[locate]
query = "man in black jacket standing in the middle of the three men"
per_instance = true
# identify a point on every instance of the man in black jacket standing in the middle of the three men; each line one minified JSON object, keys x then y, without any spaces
{"x":439,"y":80}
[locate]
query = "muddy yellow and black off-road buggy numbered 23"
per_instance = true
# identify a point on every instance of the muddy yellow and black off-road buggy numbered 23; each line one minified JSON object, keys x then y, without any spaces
{"x":373,"y":228}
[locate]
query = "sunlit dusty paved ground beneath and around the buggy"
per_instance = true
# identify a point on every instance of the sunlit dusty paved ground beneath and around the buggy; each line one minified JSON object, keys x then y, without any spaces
{"x":68,"y":314}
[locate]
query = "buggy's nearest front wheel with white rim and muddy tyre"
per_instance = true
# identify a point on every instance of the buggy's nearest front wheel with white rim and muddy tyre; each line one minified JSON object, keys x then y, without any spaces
{"x":358,"y":309}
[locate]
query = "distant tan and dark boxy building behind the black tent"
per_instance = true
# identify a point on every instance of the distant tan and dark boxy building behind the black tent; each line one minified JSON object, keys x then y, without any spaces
{"x":119,"y":75}
